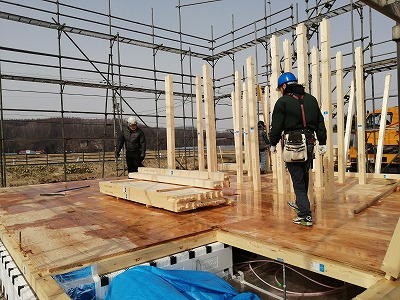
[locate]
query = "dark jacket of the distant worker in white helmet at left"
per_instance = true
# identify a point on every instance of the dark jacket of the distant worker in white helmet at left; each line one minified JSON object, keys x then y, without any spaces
{"x":134,"y":141}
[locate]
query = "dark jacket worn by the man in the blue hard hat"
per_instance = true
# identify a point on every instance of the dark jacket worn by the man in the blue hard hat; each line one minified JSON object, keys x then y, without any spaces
{"x":287,"y":116}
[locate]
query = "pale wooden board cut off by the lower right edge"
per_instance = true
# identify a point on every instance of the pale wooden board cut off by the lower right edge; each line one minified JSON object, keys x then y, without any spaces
{"x":391,"y":262}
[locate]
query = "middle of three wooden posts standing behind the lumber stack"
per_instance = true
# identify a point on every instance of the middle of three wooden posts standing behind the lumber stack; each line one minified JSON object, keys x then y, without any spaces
{"x":199,"y":124}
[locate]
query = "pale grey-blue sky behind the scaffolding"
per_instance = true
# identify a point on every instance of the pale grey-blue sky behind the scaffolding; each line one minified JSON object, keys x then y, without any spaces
{"x":202,"y":20}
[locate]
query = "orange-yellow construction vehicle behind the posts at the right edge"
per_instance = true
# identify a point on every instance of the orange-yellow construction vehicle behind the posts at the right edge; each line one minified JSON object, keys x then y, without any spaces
{"x":391,"y":152}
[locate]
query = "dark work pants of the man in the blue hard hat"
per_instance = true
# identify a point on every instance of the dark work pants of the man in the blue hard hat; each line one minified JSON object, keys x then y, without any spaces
{"x":299,"y":174}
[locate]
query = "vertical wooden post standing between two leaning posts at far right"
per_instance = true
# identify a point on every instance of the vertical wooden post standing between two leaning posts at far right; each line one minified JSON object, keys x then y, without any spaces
{"x":360,"y":98}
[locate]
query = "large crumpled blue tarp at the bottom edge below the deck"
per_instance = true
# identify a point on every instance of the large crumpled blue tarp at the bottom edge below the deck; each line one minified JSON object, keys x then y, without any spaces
{"x":148,"y":283}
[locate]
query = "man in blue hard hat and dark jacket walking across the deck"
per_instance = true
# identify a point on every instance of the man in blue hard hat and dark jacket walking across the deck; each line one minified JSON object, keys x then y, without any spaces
{"x":299,"y":112}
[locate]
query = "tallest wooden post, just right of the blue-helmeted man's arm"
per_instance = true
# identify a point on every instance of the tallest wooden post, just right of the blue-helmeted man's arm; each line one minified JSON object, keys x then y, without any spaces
{"x":326,"y":88}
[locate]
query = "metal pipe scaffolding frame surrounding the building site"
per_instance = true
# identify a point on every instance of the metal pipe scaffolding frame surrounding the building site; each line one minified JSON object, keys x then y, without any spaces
{"x":189,"y":48}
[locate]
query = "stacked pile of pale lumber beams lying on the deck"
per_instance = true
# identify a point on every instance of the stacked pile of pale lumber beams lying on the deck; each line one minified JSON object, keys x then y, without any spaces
{"x":173,"y":190}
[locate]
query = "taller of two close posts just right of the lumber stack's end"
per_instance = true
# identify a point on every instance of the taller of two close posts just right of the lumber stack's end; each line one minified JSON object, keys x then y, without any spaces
{"x":237,"y":127}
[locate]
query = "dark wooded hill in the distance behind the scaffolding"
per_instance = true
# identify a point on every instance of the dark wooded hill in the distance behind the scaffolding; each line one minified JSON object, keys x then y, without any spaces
{"x":88,"y":135}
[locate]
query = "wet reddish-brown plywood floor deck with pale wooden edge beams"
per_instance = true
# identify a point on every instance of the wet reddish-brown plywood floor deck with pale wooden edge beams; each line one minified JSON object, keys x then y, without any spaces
{"x":54,"y":234}
